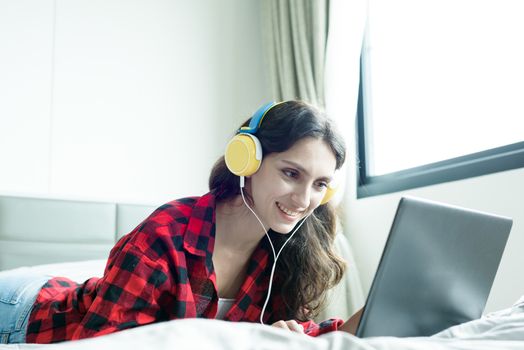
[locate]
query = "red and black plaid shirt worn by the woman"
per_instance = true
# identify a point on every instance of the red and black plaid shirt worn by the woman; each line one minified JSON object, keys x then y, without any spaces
{"x":162,"y":270}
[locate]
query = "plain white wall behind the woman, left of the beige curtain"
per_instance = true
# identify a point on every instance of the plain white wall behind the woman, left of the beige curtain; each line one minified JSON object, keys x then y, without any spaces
{"x":123,"y":100}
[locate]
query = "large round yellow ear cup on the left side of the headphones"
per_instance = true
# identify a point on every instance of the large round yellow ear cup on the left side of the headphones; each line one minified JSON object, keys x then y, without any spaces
{"x":243,"y":155}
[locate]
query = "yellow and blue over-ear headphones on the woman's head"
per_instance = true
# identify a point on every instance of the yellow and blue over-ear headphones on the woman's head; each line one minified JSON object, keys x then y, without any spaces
{"x":243,"y":154}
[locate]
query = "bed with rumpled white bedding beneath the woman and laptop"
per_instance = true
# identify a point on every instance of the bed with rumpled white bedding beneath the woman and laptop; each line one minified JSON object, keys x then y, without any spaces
{"x":503,"y":329}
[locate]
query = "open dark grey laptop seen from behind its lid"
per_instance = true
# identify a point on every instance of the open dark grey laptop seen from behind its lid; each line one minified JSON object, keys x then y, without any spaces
{"x":436,"y":270}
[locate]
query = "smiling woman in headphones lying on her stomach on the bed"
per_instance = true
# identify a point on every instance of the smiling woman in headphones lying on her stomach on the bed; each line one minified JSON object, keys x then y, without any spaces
{"x":209,"y":256}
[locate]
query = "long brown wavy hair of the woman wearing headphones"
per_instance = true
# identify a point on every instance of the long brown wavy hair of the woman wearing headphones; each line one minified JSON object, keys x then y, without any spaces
{"x":310,"y":266}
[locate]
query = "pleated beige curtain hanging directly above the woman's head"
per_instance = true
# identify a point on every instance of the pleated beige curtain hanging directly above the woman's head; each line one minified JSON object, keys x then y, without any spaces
{"x":295,"y":36}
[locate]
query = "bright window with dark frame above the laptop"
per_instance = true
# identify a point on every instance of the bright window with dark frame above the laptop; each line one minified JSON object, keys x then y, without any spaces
{"x":441,"y":92}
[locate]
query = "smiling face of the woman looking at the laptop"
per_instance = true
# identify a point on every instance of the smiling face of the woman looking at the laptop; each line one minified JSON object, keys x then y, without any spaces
{"x":290,"y":185}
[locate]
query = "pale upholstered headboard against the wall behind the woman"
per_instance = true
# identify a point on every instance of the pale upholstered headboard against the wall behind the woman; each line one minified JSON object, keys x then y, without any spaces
{"x":41,"y":230}
